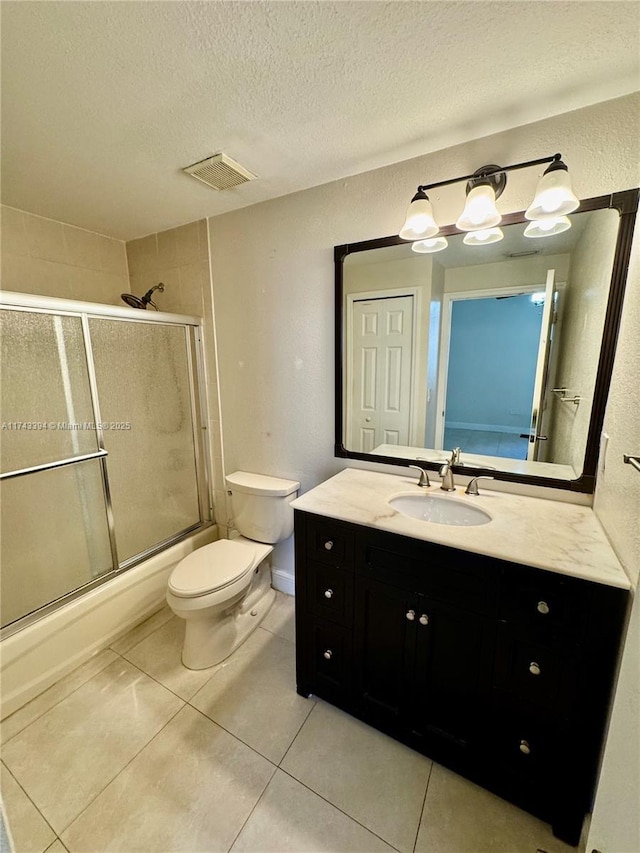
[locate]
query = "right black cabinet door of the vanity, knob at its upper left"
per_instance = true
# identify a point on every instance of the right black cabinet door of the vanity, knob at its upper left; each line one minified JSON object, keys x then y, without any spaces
{"x":453,"y":663}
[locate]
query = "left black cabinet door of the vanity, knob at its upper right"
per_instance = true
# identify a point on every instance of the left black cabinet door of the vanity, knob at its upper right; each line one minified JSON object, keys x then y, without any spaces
{"x":385,"y":636}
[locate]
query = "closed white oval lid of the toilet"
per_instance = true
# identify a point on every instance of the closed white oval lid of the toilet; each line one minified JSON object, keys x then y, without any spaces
{"x":211,"y":567}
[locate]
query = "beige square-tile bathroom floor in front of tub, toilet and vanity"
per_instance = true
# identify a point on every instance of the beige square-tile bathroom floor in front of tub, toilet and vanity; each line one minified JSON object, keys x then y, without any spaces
{"x":133,"y":752}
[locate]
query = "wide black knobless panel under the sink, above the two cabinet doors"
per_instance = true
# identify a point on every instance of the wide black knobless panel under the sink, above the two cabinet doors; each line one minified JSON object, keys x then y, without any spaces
{"x":454,"y":577}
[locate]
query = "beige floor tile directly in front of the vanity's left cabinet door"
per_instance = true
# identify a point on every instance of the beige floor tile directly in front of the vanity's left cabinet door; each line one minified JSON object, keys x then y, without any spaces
{"x":372,"y":778}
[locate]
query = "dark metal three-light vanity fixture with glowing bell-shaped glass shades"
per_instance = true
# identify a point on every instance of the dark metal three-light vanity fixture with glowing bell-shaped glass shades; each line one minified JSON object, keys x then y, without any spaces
{"x":553,"y":199}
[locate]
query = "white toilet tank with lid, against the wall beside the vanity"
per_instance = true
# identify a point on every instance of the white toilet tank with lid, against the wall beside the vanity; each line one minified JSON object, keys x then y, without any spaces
{"x":261,"y":506}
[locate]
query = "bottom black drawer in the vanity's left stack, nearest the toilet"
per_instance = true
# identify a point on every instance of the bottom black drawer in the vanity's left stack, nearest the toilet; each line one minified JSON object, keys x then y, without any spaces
{"x":329,"y":659}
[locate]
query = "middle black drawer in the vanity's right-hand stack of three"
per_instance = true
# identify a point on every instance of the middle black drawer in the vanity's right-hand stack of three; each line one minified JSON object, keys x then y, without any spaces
{"x":541,"y":677}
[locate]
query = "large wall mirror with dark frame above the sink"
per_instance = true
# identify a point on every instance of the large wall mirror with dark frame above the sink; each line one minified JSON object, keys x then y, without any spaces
{"x":504,"y":350}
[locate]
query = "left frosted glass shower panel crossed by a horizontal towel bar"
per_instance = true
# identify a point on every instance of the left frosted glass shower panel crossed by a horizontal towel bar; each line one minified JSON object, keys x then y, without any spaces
{"x":54,"y":535}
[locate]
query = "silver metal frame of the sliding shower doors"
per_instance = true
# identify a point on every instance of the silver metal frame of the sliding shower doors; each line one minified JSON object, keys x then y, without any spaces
{"x":85,"y":311}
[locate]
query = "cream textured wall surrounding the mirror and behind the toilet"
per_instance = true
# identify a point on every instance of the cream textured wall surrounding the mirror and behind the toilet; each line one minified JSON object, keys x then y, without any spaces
{"x":273,"y":288}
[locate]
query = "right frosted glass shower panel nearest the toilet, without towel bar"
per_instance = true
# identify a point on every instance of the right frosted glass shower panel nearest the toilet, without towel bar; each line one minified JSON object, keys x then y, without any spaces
{"x":148,"y":410}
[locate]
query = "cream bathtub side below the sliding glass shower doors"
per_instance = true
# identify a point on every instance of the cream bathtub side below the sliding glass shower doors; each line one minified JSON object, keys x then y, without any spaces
{"x":37,"y":656}
